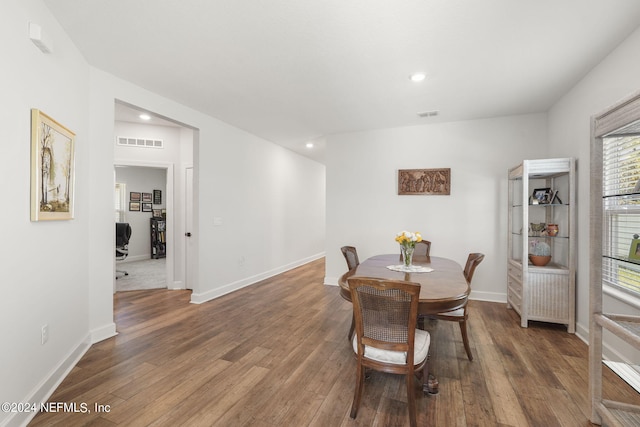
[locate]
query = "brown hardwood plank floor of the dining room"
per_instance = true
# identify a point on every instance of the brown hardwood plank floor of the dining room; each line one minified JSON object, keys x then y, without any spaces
{"x":276,"y":354}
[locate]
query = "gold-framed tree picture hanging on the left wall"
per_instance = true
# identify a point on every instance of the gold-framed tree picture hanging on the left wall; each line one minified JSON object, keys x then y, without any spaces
{"x":52,"y":169}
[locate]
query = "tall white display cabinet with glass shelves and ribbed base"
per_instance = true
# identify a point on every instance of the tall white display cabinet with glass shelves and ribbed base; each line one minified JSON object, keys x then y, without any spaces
{"x":542,"y":211}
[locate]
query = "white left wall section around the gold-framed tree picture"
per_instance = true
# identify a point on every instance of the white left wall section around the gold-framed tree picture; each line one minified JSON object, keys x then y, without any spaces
{"x":45,"y":265}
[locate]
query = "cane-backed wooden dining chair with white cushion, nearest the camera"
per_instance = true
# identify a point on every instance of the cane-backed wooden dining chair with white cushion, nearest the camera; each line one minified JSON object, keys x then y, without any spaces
{"x":386,"y":338}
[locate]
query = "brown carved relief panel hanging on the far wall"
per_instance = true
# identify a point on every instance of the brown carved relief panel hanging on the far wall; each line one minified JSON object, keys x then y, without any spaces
{"x":424,"y":181}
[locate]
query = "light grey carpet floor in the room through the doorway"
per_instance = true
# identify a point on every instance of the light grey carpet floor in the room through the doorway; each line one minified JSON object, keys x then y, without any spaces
{"x":145,"y":274}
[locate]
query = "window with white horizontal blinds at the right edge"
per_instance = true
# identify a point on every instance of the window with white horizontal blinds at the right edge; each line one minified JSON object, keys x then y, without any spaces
{"x":621,"y":209}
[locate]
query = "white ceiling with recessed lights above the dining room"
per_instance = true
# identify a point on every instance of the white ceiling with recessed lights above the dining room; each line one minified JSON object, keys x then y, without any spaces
{"x":292,"y":71}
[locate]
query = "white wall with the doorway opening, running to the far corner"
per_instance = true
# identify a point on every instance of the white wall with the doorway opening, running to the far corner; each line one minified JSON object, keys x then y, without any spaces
{"x":264,"y":196}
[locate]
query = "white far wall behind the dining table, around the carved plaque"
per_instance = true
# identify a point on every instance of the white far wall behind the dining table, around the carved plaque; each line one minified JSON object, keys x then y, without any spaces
{"x":365,"y":210}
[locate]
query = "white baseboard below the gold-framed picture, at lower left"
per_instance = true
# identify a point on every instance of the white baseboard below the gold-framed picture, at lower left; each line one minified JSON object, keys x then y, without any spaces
{"x":47,"y":386}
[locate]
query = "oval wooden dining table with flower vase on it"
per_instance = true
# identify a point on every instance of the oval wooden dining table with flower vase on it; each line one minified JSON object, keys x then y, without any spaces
{"x":443,"y":286}
